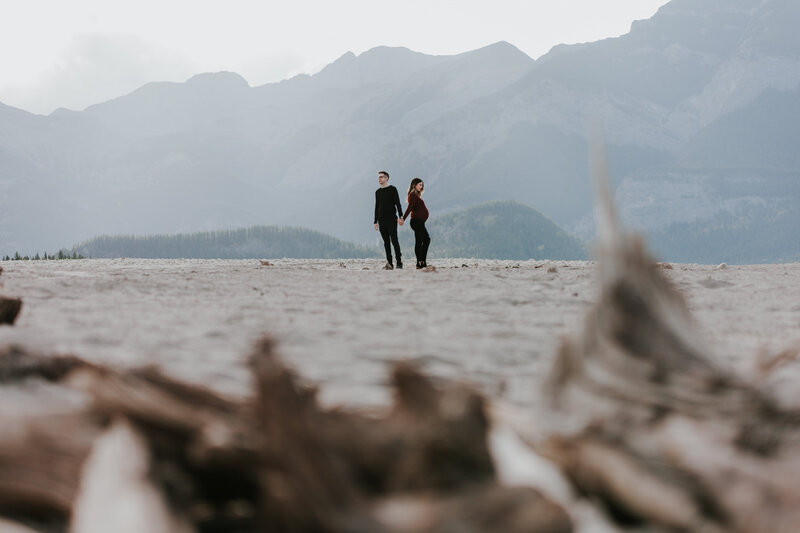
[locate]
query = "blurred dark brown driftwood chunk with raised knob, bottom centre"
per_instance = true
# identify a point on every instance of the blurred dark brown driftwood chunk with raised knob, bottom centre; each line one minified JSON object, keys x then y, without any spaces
{"x":433,"y":439}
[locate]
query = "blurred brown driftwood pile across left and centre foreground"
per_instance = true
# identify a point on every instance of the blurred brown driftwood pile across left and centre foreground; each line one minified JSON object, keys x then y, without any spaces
{"x":144,"y":452}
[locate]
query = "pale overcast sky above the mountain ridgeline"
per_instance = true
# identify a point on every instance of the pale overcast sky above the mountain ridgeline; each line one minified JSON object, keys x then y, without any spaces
{"x":74,"y":53}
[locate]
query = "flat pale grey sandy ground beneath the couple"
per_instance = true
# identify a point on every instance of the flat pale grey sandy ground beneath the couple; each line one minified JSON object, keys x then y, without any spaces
{"x":496,"y":324}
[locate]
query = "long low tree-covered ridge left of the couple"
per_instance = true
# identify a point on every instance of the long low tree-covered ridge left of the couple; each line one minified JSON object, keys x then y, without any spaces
{"x":244,"y":243}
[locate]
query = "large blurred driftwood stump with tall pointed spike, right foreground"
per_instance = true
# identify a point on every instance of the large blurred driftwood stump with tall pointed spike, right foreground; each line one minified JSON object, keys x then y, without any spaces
{"x":645,"y":419}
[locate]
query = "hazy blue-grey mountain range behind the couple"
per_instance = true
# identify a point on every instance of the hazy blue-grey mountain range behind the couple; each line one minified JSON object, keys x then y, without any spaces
{"x":700,"y":106}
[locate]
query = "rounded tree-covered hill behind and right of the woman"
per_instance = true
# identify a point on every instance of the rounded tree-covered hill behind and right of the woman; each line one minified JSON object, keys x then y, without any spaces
{"x":497,"y":230}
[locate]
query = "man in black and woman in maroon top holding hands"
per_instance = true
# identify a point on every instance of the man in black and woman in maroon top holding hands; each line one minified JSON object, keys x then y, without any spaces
{"x":386,"y":201}
